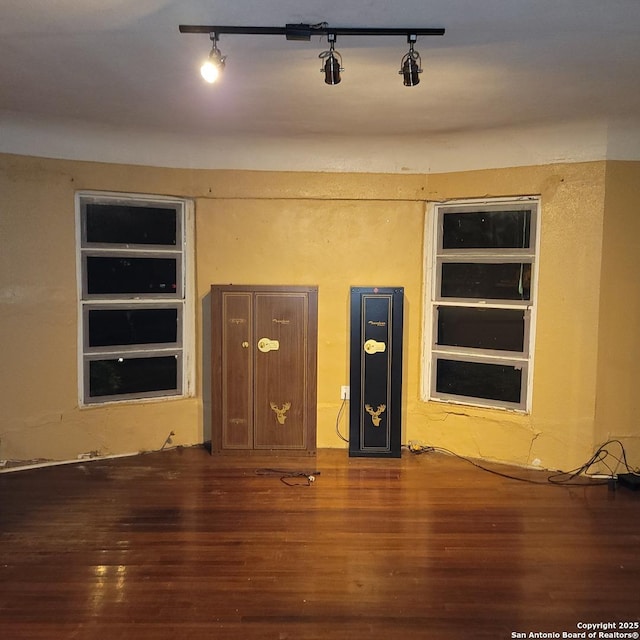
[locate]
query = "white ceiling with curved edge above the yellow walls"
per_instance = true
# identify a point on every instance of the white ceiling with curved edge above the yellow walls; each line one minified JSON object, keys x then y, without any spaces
{"x":511,"y":81}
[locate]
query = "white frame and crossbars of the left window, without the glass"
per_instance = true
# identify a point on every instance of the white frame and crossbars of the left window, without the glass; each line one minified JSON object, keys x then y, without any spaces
{"x":184,"y":346}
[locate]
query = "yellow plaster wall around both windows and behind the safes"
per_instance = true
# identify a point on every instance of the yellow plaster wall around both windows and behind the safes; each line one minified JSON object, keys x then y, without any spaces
{"x":332,"y":230}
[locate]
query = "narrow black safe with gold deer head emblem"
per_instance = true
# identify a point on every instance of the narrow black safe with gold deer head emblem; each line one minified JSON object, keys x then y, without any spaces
{"x":375,"y":415}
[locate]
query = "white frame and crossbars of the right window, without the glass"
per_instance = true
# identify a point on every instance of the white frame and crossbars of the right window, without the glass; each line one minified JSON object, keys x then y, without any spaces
{"x":435,"y":255}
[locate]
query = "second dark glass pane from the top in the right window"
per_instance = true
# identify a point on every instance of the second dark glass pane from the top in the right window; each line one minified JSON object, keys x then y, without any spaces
{"x":482,"y":280}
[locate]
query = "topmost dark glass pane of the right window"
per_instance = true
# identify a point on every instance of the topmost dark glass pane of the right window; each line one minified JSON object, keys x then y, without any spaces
{"x":487,"y":230}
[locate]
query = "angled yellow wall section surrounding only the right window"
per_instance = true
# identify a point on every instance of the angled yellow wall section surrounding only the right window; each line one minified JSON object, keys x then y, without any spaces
{"x":559,"y":430}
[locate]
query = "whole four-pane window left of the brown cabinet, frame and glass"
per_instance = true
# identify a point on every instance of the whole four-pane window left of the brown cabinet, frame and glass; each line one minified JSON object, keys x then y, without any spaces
{"x":134,"y":291}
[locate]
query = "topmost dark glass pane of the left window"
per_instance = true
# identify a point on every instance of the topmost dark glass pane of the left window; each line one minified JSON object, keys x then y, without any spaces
{"x":122,"y":224}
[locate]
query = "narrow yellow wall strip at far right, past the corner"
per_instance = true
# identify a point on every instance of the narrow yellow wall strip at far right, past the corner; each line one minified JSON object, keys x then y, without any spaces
{"x":618,"y":401}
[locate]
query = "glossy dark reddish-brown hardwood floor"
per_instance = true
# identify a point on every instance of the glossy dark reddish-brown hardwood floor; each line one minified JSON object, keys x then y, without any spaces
{"x":181,"y":545}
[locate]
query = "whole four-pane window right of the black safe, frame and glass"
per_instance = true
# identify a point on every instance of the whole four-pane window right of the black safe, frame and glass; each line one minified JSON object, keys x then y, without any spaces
{"x":480,"y":311}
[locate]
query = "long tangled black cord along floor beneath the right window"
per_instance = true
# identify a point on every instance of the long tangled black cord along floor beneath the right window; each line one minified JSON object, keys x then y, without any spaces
{"x":562,"y":478}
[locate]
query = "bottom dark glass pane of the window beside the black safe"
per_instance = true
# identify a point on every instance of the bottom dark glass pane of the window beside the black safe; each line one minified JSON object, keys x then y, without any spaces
{"x":479,"y":380}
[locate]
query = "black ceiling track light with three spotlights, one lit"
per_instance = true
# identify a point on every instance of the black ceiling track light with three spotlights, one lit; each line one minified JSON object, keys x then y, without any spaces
{"x":410,"y":66}
